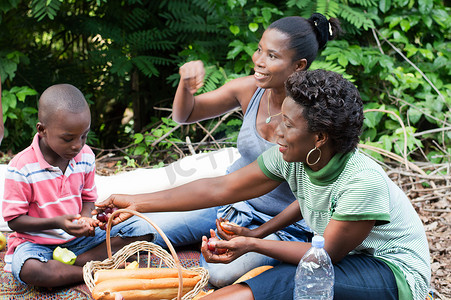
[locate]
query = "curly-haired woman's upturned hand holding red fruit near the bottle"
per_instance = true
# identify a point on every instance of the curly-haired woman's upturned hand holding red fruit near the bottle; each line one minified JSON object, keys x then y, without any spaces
{"x":235,"y":248}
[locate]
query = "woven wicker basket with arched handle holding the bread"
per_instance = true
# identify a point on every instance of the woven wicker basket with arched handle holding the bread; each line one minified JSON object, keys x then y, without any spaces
{"x":120,"y":257}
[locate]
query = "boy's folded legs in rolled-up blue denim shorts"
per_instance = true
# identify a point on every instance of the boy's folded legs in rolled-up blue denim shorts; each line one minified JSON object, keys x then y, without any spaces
{"x":33,"y":263}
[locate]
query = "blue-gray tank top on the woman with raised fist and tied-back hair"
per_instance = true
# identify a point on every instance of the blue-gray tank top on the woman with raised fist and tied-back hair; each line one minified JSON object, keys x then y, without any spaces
{"x":250,"y":145}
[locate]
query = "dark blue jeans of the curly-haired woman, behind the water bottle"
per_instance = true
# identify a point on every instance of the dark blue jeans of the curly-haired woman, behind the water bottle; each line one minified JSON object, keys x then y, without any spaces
{"x":356,"y":277}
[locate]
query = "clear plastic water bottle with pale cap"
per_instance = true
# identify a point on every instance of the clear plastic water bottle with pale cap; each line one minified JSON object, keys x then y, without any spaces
{"x":315,"y":274}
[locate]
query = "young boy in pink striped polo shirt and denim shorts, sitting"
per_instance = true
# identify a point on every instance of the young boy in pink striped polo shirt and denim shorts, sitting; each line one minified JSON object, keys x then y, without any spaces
{"x":50,"y":193}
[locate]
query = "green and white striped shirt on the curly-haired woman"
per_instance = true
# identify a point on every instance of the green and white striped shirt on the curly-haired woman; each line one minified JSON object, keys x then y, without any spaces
{"x":352,"y":187}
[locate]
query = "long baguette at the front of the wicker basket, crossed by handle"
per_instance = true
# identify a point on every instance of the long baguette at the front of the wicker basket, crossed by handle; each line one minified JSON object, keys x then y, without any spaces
{"x":160,"y":288}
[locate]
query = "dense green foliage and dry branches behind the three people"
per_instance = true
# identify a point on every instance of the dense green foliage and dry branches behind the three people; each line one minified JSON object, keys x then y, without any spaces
{"x":124,"y":56}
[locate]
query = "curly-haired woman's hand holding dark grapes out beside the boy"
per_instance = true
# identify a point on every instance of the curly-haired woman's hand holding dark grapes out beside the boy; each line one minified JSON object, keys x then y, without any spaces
{"x":116,"y":201}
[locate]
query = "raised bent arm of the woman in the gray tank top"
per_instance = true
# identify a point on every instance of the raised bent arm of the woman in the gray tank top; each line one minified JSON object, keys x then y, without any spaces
{"x":188,"y":108}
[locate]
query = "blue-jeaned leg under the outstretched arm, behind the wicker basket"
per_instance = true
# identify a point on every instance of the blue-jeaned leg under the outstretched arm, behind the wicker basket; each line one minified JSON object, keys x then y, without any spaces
{"x":183,"y":228}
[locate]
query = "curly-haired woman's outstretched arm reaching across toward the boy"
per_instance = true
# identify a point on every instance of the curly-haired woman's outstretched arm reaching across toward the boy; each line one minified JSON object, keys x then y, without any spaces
{"x":245,"y":183}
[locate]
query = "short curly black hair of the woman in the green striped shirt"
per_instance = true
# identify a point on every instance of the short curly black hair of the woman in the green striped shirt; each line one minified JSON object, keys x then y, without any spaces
{"x":331,"y":105}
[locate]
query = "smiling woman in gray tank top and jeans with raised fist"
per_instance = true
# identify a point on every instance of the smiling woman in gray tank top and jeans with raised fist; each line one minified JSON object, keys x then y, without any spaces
{"x":289,"y":44}
